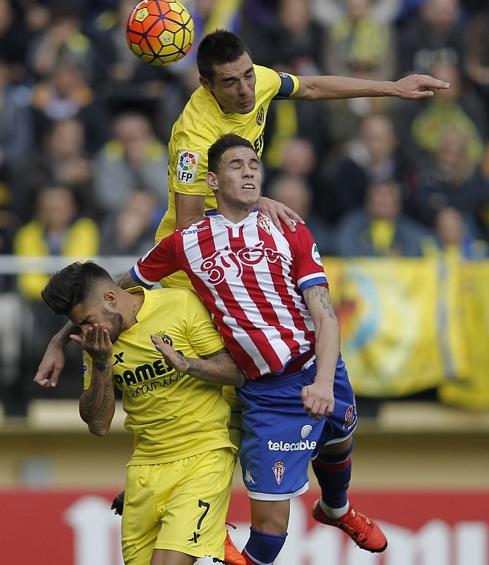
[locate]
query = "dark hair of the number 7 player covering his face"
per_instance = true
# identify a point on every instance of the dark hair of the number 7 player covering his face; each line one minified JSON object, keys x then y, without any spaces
{"x":71,"y":286}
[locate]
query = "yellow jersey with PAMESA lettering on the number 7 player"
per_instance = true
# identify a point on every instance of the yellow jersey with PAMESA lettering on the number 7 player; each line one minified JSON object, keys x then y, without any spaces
{"x":171,"y":415}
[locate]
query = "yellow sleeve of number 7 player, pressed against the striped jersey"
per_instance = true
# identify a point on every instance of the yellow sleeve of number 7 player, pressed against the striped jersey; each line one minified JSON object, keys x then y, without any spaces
{"x":201,"y":332}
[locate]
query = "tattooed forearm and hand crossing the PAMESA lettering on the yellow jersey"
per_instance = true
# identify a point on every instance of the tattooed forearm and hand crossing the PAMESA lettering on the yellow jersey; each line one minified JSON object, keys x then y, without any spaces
{"x":218,"y":368}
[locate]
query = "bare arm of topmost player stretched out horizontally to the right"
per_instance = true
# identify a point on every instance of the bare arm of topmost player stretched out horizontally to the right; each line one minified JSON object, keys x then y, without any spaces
{"x":411,"y":87}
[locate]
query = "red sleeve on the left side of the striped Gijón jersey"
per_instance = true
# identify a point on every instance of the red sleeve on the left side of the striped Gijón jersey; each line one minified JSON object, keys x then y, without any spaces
{"x":160,"y":261}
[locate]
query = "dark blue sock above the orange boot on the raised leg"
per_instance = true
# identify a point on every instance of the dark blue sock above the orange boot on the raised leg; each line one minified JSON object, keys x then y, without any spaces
{"x":333,"y":473}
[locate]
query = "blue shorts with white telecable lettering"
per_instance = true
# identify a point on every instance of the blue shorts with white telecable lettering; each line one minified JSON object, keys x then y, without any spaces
{"x":279,"y":438}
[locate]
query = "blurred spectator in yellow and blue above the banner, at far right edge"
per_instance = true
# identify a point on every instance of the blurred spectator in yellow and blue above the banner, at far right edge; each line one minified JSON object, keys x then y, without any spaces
{"x":453,"y":239}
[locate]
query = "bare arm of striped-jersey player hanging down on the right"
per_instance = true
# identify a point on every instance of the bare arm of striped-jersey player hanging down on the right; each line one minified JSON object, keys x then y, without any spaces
{"x":318,"y":398}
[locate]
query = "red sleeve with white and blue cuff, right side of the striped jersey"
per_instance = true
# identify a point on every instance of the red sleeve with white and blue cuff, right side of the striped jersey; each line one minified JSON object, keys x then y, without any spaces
{"x":307,"y":264}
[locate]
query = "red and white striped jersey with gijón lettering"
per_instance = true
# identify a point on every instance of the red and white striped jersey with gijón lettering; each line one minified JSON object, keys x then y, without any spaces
{"x":251,"y":278}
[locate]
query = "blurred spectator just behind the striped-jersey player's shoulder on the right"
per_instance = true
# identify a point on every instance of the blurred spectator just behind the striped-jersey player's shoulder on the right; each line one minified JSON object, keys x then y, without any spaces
{"x":297,"y":195}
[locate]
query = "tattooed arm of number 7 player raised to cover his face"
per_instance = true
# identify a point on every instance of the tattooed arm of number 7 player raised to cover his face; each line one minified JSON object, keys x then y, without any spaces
{"x":97,"y":402}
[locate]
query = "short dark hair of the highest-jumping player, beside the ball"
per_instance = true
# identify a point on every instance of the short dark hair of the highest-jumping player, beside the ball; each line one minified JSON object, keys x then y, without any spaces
{"x":218,"y":48}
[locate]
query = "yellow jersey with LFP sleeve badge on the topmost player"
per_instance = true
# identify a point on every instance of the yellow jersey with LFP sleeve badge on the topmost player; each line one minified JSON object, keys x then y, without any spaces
{"x":201,"y":123}
